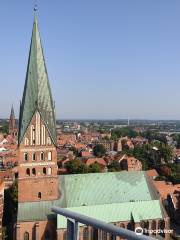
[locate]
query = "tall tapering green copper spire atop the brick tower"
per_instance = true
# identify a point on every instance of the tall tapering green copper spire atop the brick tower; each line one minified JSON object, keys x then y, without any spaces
{"x":37,"y":92}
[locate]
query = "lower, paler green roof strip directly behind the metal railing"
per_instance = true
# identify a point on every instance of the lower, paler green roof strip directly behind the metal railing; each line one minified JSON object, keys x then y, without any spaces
{"x":115,"y":212}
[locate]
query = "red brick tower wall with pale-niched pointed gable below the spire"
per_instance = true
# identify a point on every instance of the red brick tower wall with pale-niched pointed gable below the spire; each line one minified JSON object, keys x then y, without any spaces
{"x":37,"y":164}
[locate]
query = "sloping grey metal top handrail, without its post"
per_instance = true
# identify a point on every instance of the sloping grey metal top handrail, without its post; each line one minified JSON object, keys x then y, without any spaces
{"x":110,"y":228}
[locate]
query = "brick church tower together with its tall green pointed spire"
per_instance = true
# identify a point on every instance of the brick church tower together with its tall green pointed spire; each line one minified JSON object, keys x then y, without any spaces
{"x":38,"y":179}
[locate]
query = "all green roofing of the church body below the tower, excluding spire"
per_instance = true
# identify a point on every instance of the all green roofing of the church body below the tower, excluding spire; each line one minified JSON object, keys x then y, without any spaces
{"x":96,"y":193}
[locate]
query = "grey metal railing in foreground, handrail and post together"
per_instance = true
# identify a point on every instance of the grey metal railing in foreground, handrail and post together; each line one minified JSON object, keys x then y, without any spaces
{"x":74,"y":218}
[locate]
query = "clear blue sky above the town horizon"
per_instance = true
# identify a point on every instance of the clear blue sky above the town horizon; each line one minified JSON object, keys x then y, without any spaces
{"x":105,"y":58}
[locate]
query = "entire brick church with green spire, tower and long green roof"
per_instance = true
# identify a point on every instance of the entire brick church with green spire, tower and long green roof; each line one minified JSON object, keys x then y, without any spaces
{"x":126,"y":199}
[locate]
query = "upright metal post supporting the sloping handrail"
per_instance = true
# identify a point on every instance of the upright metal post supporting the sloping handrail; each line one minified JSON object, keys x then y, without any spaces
{"x":72,"y":229}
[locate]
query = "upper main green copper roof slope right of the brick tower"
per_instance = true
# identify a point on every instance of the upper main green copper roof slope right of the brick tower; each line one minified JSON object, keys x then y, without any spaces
{"x":104,"y":188}
